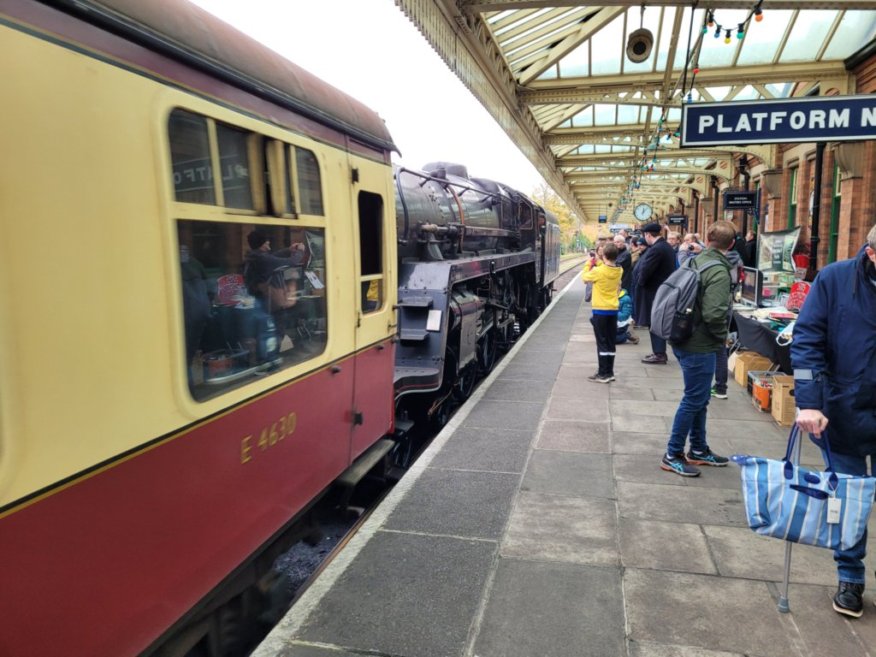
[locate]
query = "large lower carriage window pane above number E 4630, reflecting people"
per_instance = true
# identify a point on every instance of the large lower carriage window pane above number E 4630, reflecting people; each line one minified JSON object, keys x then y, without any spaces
{"x":248,"y":312}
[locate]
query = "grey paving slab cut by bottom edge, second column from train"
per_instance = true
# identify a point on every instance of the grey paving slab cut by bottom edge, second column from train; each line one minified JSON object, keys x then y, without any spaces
{"x":552,"y":610}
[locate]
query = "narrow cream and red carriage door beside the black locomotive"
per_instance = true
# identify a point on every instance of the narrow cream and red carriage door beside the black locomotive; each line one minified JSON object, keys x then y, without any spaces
{"x":374,"y":363}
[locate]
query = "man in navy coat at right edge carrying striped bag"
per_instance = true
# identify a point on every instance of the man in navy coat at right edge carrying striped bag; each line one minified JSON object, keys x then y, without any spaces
{"x":834,"y":358}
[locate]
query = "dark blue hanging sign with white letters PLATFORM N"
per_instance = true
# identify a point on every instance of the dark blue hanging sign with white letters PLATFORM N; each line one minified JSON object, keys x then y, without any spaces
{"x":810,"y":119}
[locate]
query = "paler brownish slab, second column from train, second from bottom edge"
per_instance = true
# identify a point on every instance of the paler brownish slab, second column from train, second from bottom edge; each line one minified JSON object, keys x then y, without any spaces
{"x":560,"y":528}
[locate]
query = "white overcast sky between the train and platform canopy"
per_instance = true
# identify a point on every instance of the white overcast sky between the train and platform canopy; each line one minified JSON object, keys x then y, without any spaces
{"x":370,"y":50}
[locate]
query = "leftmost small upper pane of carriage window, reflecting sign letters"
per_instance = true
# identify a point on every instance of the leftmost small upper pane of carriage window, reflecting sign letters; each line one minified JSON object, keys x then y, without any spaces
{"x":190,"y":156}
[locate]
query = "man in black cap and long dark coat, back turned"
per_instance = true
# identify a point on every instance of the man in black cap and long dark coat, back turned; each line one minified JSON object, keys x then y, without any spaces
{"x":654,"y":267}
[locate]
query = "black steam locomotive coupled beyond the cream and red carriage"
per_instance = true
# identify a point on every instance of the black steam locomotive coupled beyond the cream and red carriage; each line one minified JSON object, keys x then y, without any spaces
{"x":477,"y":261}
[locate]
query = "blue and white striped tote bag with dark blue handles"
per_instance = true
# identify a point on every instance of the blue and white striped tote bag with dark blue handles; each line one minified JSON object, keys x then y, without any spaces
{"x":793,"y":503}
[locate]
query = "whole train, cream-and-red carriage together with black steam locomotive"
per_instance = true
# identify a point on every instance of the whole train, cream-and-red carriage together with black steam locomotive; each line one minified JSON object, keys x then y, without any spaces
{"x":164,"y":429}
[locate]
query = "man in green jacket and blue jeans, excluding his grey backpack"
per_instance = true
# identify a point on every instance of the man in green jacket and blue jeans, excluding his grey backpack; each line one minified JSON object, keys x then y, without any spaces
{"x":696,"y":355}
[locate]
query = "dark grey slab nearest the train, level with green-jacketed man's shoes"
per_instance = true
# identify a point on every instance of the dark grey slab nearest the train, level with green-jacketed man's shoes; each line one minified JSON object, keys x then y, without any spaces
{"x":492,"y":450}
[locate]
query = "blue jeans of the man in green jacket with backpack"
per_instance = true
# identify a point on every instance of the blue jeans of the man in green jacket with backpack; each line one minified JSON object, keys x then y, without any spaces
{"x":690,"y":418}
